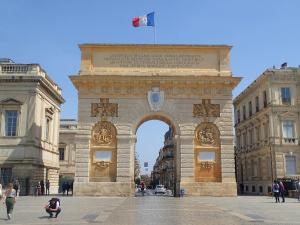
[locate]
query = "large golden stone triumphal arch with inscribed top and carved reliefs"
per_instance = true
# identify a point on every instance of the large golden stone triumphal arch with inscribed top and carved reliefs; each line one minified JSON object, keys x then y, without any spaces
{"x":187,"y":86}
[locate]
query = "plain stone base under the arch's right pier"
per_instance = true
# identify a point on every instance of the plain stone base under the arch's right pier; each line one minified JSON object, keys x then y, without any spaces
{"x":209,"y":188}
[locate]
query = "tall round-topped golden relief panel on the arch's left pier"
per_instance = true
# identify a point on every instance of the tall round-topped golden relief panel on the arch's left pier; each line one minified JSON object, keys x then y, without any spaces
{"x":103,"y":153}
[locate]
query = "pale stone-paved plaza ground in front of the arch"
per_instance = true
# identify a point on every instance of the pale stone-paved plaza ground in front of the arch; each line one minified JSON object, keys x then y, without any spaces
{"x":158,"y":210}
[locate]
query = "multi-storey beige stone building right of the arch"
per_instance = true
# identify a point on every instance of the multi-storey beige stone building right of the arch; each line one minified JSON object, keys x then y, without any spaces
{"x":267,"y":116}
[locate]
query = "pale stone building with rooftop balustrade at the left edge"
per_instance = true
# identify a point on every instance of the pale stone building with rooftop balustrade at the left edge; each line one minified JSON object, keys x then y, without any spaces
{"x":29,"y":125}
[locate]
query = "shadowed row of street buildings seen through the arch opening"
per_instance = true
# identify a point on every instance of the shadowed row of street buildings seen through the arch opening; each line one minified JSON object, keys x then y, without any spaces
{"x":163,"y":169}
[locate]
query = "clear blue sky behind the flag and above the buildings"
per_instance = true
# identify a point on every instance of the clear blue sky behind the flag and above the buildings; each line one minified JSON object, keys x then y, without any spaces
{"x":263,"y":33}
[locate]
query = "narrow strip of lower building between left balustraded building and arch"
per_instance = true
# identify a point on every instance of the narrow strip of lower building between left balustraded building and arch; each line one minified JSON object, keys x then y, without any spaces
{"x":67,"y":147}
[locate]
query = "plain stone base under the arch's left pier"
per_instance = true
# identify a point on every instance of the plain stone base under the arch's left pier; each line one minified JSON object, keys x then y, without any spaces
{"x":103,"y":188}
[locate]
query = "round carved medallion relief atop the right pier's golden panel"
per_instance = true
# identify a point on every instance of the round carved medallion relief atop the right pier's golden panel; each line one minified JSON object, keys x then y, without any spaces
{"x":207,"y":134}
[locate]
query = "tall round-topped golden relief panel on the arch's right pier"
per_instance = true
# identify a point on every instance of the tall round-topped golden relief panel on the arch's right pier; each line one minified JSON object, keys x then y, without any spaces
{"x":207,"y":153}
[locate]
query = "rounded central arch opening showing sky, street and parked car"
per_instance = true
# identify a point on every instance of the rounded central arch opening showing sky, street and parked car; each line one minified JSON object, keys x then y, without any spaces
{"x":155,"y":156}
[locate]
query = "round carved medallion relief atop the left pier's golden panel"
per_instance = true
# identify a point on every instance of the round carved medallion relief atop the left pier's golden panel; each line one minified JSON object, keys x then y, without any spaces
{"x":103,"y":133}
